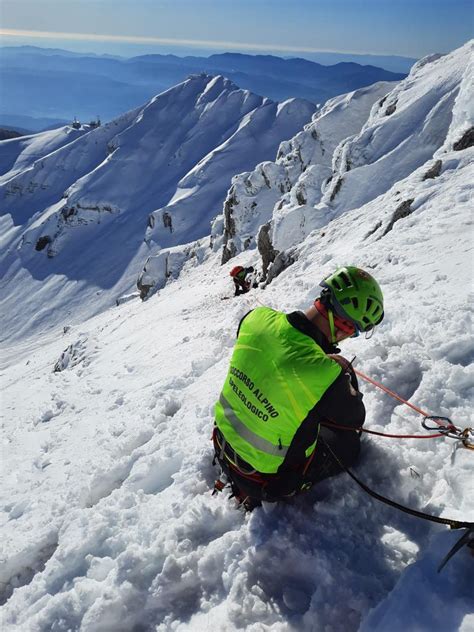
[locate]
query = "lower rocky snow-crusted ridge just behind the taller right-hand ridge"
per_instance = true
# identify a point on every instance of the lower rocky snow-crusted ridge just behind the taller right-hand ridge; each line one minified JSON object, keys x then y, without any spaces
{"x":293,"y":184}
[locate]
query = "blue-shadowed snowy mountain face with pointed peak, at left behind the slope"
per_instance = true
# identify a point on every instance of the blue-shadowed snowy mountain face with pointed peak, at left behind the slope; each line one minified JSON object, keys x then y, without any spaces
{"x":74,"y":217}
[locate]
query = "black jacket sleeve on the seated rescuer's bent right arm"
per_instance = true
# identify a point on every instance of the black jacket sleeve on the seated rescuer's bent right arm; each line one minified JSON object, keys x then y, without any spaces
{"x":342,"y":403}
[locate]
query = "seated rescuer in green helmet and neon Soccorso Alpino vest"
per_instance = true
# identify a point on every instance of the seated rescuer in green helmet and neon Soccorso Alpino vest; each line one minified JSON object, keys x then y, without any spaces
{"x":285,"y":377}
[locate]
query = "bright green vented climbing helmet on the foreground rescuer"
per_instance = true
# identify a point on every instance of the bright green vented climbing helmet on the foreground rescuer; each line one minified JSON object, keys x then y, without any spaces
{"x":355,"y":296}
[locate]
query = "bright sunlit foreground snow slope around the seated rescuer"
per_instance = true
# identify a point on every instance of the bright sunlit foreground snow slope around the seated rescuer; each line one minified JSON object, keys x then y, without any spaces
{"x":107,"y":516}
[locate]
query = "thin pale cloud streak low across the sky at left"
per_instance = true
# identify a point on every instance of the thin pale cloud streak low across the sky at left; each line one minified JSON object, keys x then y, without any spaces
{"x":138,"y":39}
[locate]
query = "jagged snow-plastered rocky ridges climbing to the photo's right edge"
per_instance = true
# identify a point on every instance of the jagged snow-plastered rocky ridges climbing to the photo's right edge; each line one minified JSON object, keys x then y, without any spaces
{"x":415,"y":124}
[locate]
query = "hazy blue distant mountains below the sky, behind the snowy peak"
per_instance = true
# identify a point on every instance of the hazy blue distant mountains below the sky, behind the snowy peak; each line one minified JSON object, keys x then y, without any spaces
{"x":51,"y":86}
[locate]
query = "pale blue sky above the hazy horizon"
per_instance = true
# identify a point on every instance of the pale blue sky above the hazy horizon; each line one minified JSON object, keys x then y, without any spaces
{"x":396,"y":27}
